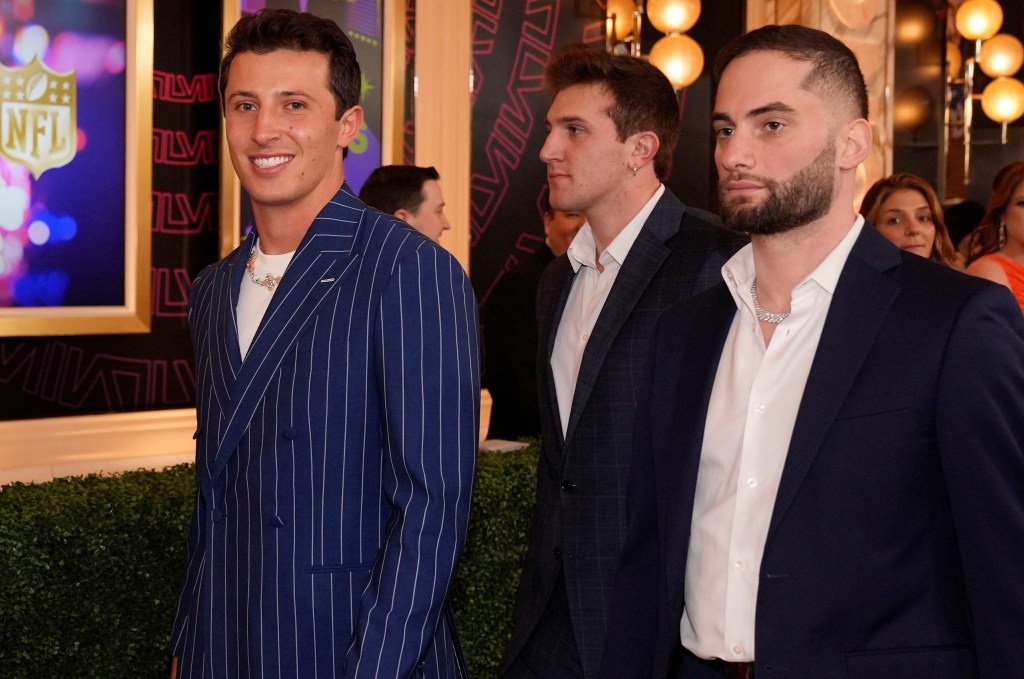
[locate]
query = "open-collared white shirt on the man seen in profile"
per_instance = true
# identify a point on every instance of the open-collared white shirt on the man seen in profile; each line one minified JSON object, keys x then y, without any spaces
{"x":590,"y":291}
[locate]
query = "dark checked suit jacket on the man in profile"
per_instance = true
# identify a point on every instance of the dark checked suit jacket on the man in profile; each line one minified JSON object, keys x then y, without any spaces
{"x":580,"y":522}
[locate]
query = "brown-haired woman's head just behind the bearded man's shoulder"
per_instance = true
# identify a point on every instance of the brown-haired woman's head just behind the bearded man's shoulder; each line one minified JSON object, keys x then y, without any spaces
{"x":906,"y":209}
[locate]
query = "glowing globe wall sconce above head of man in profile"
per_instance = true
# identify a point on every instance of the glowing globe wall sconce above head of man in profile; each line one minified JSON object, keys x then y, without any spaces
{"x":677,"y":55}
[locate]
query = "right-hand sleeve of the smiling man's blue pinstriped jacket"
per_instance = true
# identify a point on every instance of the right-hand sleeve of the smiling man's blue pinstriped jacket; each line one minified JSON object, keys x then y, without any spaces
{"x":429,"y":366}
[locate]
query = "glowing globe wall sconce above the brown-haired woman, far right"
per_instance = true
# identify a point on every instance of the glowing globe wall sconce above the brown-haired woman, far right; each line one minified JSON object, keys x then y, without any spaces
{"x":1000,"y":57}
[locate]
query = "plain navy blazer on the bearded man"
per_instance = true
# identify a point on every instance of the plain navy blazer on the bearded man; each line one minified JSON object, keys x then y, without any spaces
{"x":898,"y":536}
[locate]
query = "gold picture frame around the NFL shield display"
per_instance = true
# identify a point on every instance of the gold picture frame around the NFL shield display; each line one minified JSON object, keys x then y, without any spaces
{"x":135,"y":315}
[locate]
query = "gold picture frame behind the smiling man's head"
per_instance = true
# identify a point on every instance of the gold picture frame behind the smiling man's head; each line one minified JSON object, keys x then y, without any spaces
{"x":393,"y":94}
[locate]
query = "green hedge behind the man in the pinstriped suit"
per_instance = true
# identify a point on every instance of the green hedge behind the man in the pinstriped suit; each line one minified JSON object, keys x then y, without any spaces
{"x":91,"y":569}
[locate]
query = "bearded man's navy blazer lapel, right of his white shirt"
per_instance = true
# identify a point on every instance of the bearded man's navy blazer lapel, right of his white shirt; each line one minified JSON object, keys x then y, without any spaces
{"x":864,"y":296}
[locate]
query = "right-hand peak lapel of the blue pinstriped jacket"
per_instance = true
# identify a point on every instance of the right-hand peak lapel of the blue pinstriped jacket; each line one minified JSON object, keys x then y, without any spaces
{"x":323,"y":261}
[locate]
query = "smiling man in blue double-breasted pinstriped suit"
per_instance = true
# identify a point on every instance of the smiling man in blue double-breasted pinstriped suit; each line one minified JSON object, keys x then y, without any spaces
{"x":338,"y":381}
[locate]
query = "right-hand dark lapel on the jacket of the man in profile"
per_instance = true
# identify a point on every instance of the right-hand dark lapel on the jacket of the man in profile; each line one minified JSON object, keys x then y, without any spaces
{"x":642,"y":265}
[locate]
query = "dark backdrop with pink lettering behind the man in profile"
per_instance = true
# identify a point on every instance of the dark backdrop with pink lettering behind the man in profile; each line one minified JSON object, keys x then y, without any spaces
{"x":513,"y":41}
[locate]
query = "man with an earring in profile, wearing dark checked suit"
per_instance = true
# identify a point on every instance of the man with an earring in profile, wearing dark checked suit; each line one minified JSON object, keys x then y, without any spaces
{"x":613,"y":124}
